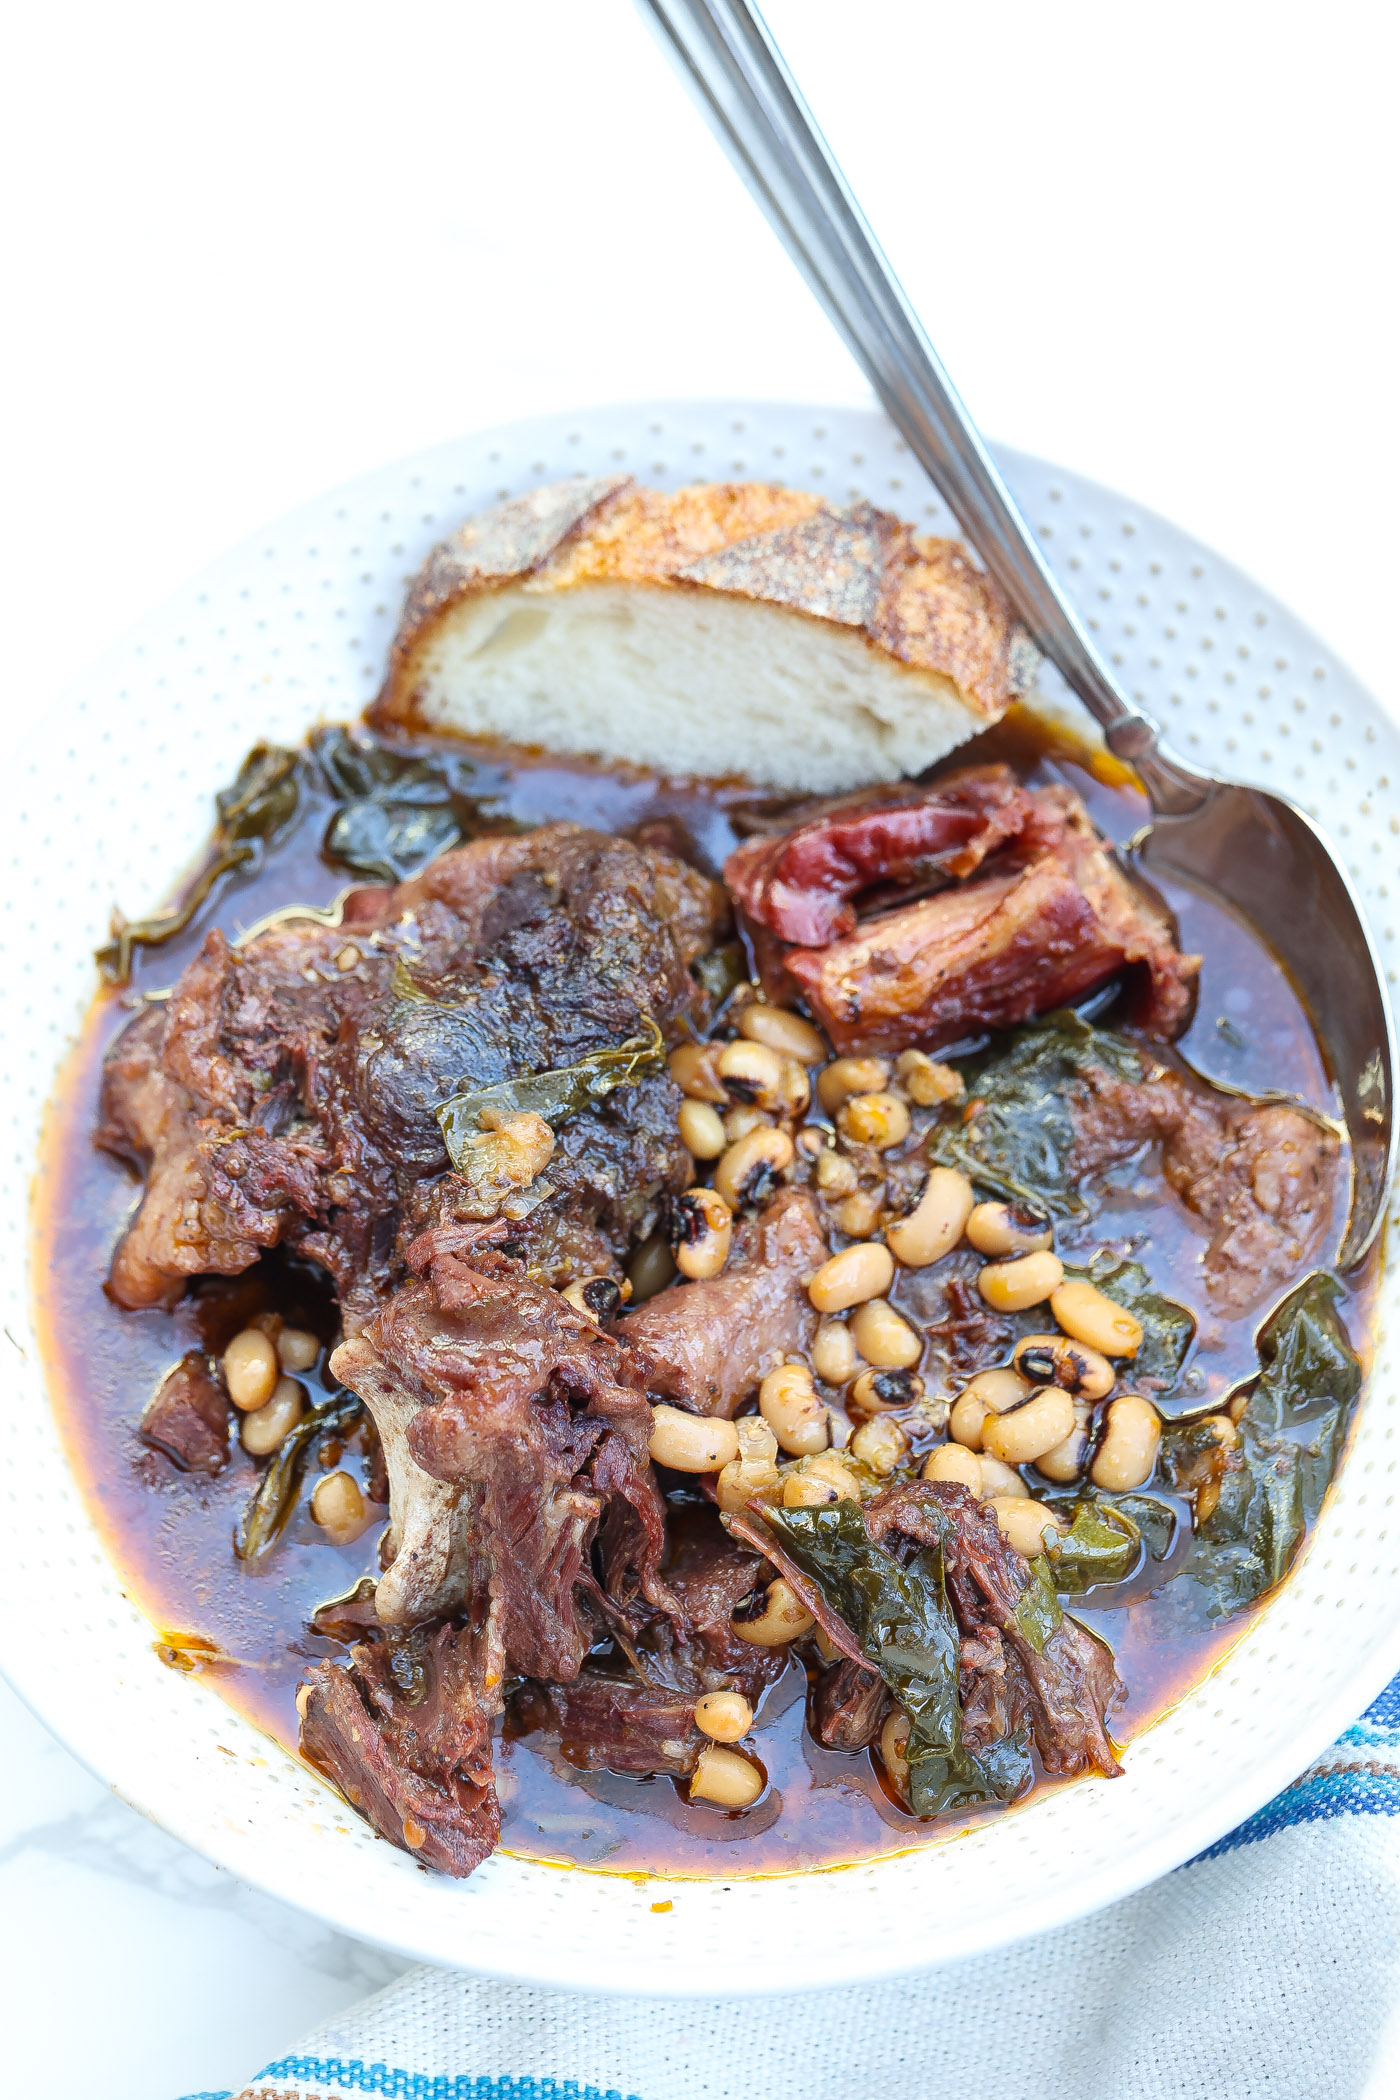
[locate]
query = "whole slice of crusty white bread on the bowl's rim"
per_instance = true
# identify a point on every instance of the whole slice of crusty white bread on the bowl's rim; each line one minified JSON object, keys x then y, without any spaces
{"x":734,"y":629}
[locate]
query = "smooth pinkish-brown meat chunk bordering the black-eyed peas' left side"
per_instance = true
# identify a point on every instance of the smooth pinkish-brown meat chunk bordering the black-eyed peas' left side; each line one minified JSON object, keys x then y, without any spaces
{"x":708,"y":1345}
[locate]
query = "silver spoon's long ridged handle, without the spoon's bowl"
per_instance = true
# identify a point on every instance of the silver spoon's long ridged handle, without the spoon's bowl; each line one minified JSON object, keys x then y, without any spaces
{"x":738,"y":75}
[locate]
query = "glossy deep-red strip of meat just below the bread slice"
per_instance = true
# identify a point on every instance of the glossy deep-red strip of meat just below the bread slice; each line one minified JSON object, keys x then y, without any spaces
{"x":803,"y":885}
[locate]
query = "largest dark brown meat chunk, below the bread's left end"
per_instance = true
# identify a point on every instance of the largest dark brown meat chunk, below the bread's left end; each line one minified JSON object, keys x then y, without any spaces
{"x":289,"y":1089}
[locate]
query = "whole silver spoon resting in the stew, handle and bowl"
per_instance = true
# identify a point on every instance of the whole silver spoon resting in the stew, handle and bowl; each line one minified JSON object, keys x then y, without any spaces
{"x":1256,"y":852}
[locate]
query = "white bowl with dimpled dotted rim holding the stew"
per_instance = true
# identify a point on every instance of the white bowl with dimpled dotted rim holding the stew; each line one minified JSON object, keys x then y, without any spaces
{"x":110,"y":795}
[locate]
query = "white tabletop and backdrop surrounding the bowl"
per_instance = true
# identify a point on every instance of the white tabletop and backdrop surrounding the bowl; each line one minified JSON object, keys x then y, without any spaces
{"x":255,"y":251}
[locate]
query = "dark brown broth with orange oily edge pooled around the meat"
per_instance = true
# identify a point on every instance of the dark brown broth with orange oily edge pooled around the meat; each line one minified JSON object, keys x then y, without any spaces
{"x":247,"y":1629}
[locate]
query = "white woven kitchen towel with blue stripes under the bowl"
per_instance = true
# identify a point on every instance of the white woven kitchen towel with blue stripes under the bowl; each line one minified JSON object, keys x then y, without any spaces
{"x":1269,"y":1969}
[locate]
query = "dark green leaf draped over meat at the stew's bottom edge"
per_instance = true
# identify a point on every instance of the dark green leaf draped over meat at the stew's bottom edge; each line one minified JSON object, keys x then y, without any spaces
{"x":908,"y":1633}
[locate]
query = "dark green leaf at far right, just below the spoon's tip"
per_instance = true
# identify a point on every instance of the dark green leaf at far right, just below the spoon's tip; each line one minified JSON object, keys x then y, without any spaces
{"x":1271,"y":1486}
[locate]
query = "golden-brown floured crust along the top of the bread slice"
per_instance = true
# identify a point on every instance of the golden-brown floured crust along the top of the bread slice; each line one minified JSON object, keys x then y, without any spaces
{"x":920,"y":602}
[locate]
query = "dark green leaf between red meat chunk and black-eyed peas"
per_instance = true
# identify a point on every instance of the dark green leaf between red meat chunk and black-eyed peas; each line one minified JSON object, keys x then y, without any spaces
{"x":1019,"y":1135}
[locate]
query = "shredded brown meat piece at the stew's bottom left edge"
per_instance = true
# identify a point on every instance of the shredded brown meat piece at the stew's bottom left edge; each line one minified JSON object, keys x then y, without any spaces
{"x":404,"y":1729}
